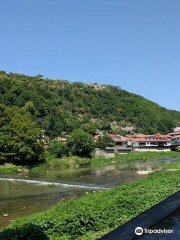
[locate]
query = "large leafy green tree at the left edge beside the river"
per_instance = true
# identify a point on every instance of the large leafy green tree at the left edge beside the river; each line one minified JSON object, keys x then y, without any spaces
{"x":20,"y":138}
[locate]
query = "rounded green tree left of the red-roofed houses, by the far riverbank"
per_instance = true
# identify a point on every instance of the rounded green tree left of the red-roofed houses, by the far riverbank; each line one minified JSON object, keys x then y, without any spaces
{"x":80,"y":143}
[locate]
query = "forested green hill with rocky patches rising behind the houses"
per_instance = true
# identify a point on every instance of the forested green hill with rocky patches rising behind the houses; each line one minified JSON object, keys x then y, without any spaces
{"x":58,"y":106}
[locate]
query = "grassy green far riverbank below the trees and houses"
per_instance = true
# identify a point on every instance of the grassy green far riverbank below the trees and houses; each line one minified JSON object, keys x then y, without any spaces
{"x":75,"y":162}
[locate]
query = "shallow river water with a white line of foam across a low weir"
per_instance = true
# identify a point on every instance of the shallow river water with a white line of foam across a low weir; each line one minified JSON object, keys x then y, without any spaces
{"x":25,"y":193}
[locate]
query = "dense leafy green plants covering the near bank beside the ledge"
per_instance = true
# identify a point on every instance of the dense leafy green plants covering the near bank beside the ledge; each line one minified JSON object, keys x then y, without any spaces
{"x":97,"y":212}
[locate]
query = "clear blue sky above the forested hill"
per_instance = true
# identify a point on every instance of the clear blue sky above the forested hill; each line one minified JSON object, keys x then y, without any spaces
{"x":134,"y":44}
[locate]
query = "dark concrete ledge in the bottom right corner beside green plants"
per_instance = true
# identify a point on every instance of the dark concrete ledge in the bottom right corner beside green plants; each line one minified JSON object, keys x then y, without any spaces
{"x":145,"y":219}
